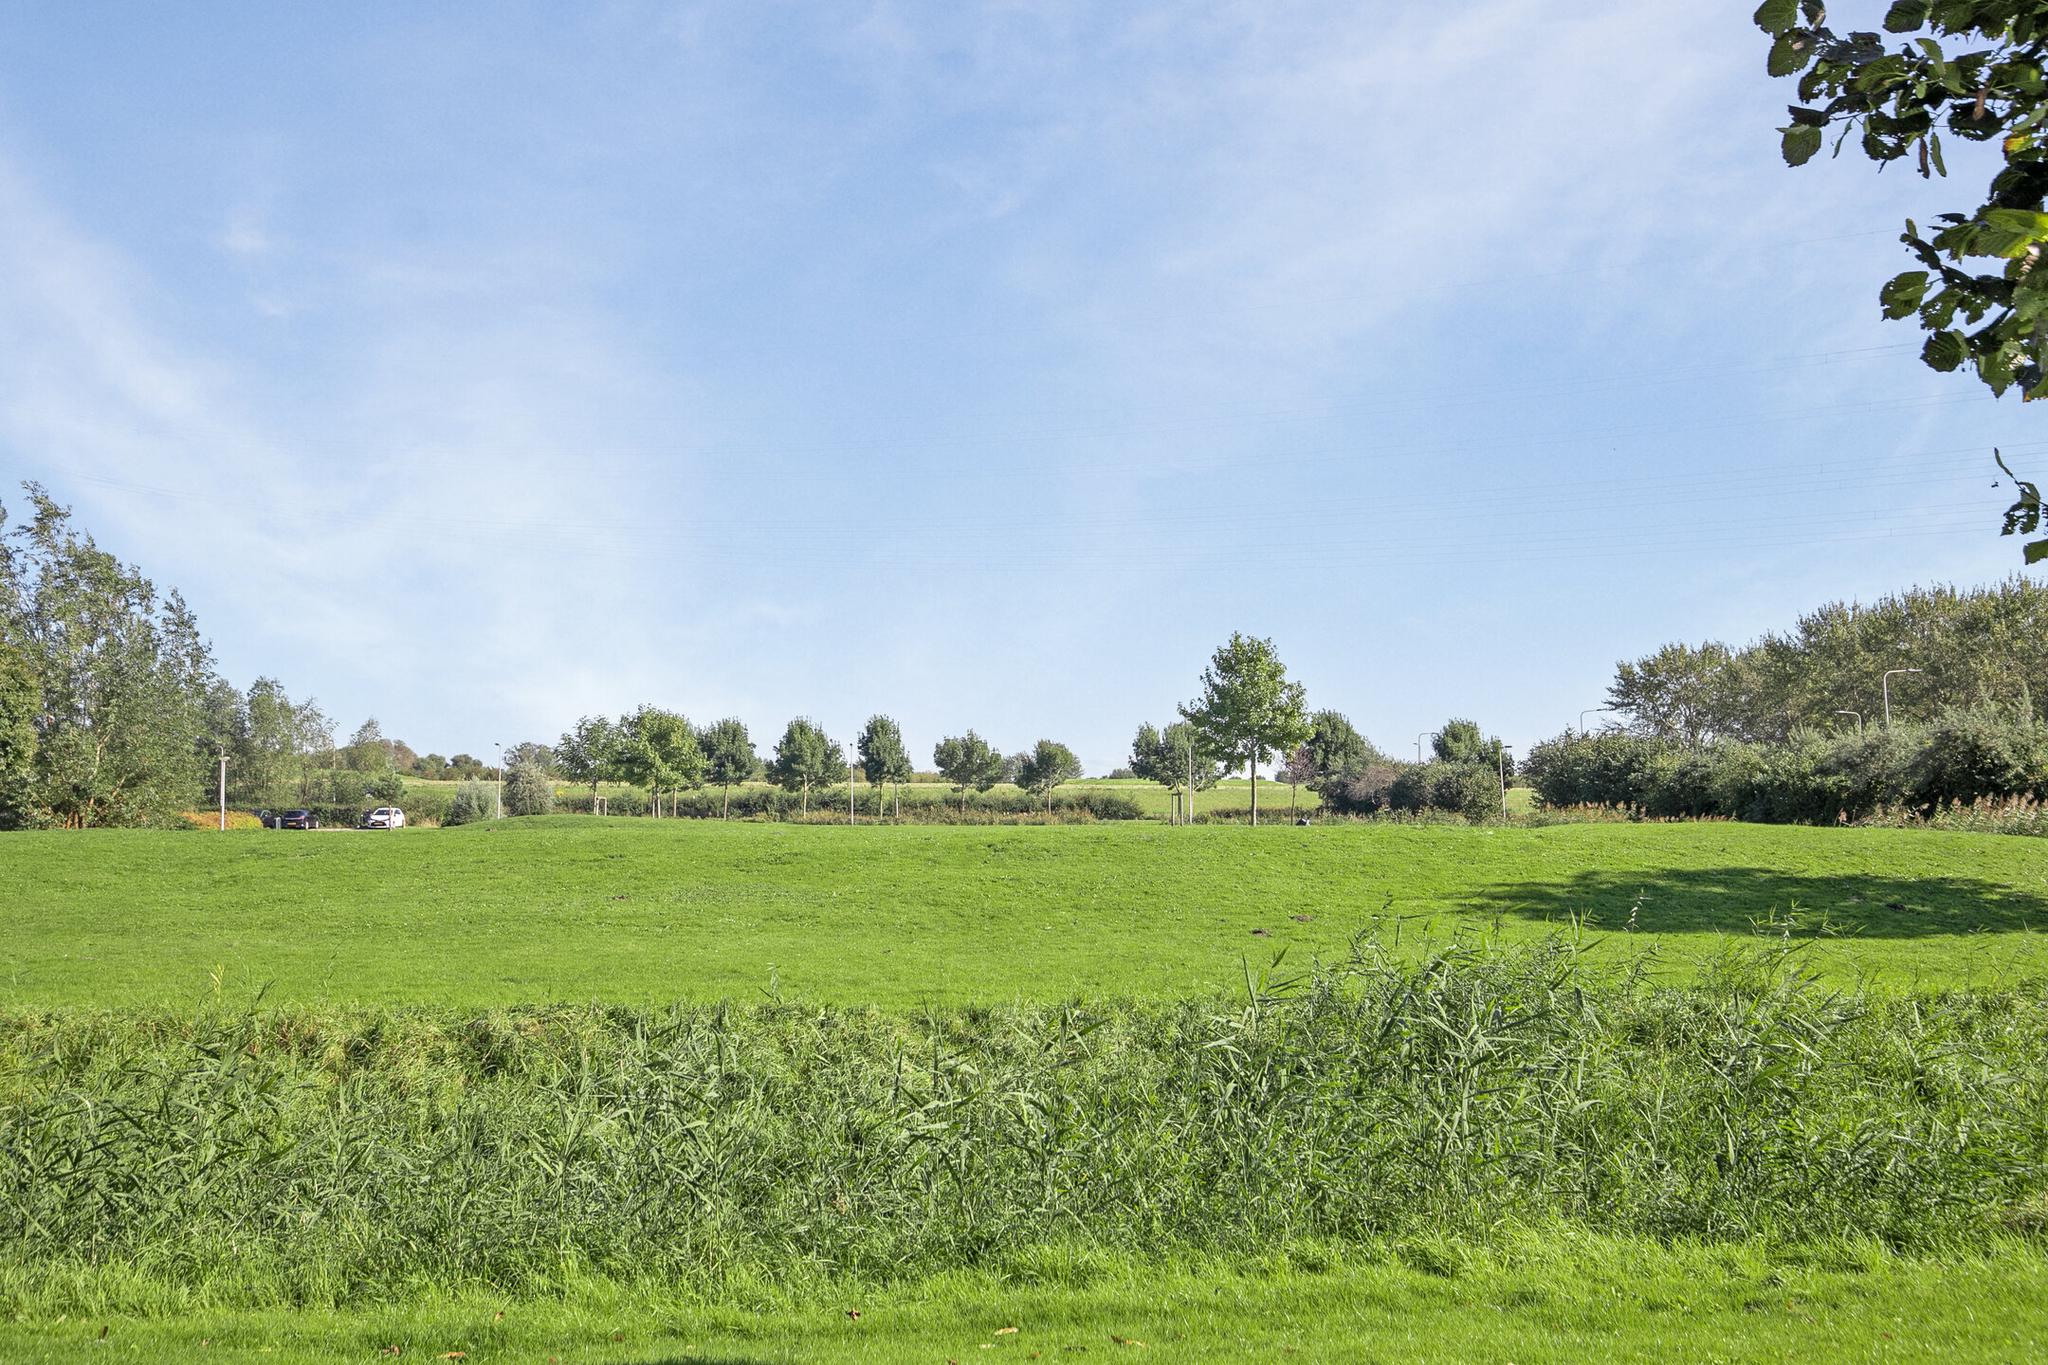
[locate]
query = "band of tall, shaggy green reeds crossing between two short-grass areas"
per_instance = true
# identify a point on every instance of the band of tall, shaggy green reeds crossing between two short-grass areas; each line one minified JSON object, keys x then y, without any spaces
{"x":286,"y":1157}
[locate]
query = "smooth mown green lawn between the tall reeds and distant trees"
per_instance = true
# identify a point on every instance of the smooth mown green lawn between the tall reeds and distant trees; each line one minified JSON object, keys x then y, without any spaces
{"x":574,"y":908}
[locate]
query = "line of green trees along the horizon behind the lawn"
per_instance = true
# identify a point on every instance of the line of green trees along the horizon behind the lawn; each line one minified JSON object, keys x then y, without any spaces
{"x":112,"y":711}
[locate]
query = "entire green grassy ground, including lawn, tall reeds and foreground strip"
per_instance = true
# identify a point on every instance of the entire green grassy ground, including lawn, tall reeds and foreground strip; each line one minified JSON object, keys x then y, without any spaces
{"x":390,"y":1151}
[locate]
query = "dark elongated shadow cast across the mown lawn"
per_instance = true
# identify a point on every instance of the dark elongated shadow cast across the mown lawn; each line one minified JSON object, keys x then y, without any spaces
{"x":1750,"y":899}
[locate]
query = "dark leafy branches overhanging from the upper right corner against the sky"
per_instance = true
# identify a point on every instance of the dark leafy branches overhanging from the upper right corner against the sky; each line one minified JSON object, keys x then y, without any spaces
{"x":1969,"y":71}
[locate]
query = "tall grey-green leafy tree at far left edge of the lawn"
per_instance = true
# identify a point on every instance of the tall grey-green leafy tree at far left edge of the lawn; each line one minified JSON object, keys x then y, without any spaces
{"x":116,"y":674}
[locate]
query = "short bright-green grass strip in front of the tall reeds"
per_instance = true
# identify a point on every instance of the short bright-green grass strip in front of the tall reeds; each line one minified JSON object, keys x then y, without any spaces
{"x":1570,"y":1301}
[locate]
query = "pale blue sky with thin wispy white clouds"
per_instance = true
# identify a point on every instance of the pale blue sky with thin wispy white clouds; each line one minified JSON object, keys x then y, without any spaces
{"x":976,"y":363}
